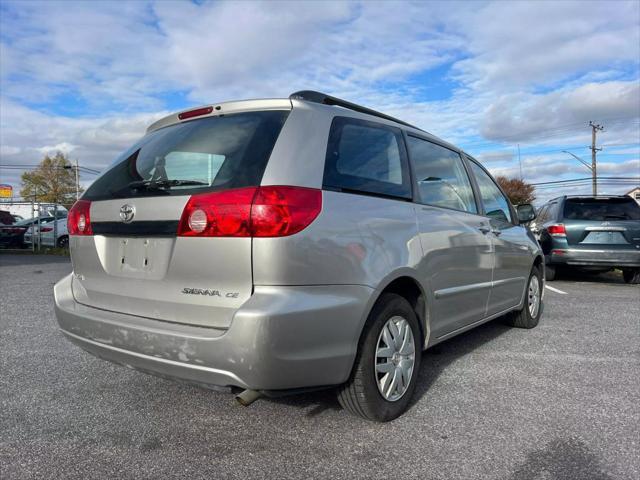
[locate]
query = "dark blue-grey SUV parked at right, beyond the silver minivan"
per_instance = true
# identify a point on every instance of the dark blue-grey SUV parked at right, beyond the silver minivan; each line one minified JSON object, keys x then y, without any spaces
{"x":593,"y":233}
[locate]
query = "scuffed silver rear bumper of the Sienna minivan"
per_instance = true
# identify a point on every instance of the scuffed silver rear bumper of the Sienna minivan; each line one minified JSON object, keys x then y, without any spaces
{"x":281,"y":338}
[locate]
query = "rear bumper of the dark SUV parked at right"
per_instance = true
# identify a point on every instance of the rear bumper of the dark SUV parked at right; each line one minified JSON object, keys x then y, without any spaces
{"x":594,"y":257}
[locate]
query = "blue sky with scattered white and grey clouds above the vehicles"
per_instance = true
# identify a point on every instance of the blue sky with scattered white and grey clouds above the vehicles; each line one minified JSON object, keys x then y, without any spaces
{"x":88,"y":77}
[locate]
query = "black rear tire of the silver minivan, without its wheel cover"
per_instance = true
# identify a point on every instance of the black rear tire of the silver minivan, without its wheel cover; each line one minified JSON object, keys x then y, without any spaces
{"x":360,"y":394}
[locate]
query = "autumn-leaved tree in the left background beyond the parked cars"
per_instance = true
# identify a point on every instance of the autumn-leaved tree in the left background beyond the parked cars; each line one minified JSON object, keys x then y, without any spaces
{"x":50,"y":181}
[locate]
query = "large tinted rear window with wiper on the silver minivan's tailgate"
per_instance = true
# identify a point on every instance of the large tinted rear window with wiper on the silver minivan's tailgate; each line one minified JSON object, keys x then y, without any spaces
{"x":207,"y":154}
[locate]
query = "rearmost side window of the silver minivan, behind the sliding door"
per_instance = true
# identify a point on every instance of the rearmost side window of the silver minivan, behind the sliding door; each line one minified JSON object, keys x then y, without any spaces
{"x":366,"y":157}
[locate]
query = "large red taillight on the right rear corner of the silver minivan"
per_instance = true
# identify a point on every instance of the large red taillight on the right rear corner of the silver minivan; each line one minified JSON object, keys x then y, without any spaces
{"x":272,"y":211}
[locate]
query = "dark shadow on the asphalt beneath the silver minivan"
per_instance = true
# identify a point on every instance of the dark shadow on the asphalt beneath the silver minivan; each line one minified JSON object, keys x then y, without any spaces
{"x":434,"y":362}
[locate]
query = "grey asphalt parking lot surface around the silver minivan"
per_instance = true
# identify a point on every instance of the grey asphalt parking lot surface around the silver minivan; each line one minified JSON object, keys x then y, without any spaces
{"x":557,"y":402}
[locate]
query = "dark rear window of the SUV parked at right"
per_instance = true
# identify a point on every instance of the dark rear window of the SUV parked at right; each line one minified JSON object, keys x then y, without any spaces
{"x":601,"y":209}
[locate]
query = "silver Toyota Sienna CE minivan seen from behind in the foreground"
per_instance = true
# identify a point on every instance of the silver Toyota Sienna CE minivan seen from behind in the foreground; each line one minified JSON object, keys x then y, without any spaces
{"x":275,"y":246}
